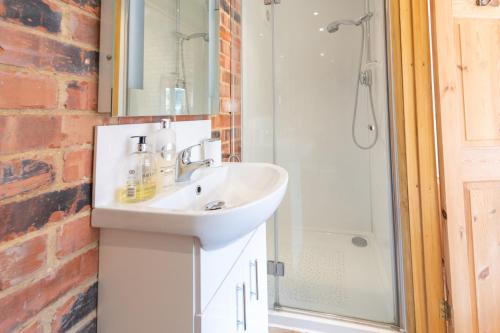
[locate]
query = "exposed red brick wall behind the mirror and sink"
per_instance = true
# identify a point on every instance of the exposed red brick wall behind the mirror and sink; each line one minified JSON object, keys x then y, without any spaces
{"x":48,"y":112}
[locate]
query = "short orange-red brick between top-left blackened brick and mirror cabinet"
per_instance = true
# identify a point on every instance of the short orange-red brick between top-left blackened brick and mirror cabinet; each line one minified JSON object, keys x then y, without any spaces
{"x":83,"y":28}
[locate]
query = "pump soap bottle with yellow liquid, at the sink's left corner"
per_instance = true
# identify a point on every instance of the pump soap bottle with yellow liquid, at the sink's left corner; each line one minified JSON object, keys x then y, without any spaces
{"x":141,"y":174}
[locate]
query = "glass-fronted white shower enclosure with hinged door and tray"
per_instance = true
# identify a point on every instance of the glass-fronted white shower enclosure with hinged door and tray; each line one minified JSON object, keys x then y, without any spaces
{"x":316,"y":102}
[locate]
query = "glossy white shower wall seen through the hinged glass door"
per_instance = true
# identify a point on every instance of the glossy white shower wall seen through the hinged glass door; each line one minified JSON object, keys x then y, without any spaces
{"x":316,"y":76}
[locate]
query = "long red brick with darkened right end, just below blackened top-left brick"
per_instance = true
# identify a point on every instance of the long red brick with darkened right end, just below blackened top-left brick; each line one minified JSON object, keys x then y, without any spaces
{"x":25,"y":49}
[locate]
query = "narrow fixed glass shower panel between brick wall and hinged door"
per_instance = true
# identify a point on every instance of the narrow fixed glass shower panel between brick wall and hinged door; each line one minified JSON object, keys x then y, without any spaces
{"x":257,"y":85}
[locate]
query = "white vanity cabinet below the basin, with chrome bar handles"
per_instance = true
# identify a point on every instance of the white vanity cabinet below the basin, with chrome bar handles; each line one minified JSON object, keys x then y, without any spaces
{"x":155,"y":283}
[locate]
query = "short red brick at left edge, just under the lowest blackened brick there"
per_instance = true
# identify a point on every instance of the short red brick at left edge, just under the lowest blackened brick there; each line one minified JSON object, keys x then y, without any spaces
{"x":18,"y":262}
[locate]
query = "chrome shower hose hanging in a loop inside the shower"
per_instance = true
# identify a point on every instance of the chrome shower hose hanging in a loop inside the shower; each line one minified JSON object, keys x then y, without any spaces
{"x":368,"y":83}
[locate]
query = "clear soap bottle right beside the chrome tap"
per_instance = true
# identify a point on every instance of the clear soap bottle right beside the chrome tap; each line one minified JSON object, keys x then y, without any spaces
{"x":166,"y":152}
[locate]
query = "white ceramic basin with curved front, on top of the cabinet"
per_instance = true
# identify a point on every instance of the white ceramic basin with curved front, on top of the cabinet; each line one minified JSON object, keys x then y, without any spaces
{"x":218,"y":206}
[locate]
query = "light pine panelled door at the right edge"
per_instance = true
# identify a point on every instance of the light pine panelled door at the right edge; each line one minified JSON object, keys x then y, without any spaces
{"x":467,"y":71}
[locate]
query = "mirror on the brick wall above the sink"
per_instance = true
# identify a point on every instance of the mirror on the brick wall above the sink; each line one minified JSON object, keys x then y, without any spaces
{"x":159,"y":57}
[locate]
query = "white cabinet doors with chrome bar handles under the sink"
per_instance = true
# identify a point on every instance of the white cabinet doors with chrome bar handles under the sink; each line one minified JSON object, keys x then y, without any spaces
{"x":240,"y":305}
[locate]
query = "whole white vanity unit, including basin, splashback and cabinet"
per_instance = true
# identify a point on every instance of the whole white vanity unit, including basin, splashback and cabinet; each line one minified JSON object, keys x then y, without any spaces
{"x":154,"y":274}
